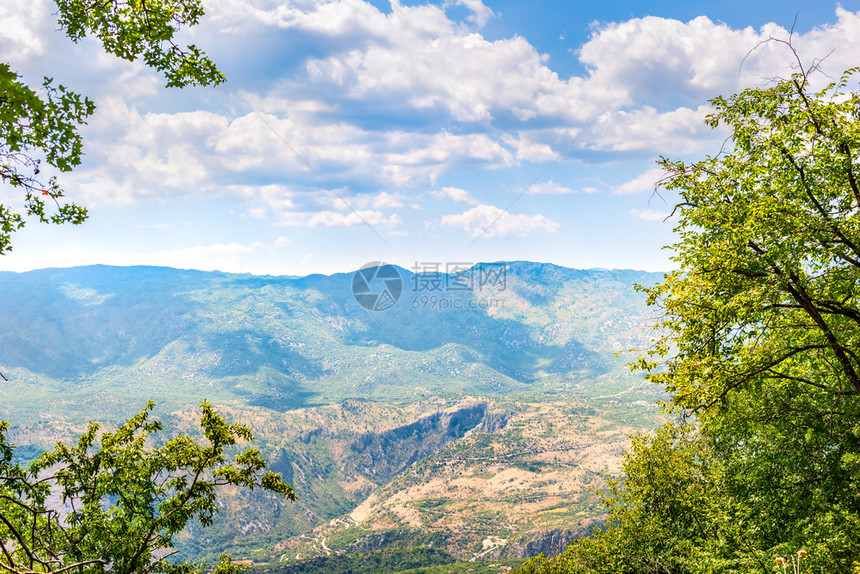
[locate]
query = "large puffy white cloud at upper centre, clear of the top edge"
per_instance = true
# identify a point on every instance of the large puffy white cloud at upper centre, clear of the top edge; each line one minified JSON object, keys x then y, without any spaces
{"x":466,"y":75}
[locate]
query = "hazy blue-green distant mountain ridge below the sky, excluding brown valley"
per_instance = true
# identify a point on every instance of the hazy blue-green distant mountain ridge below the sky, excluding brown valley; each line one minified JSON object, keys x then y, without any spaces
{"x":548,"y":323}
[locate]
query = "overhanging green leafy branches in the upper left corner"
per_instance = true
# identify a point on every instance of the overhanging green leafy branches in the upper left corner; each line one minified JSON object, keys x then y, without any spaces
{"x":42,"y":124}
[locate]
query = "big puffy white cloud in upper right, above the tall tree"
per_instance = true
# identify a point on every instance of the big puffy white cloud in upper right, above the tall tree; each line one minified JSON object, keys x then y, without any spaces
{"x":660,"y":60}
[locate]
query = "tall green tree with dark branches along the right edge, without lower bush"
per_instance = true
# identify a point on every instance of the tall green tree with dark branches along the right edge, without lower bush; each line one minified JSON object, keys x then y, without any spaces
{"x":762,"y":319}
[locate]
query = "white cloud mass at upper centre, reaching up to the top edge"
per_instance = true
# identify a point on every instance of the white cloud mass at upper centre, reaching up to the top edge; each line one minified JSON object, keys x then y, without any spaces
{"x":417,"y":55}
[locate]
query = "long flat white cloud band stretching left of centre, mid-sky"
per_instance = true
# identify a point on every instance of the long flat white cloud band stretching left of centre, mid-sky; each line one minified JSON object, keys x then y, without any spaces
{"x":138,"y":156}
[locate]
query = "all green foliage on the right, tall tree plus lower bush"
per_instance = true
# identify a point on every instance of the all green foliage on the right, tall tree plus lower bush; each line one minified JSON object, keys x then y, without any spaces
{"x":760,"y":350}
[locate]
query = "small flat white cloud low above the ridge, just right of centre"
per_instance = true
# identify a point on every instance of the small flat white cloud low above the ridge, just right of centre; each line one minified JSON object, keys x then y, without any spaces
{"x":490,"y":221}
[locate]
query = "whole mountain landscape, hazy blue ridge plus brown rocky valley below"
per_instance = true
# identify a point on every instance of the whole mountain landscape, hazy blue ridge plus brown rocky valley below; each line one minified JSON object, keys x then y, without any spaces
{"x":472,"y":419}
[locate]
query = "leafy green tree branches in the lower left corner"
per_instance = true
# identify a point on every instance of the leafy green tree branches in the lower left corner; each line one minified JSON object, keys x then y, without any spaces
{"x":123,"y":499}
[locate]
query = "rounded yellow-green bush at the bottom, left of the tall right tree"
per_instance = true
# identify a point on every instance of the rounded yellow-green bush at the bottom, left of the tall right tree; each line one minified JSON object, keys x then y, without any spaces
{"x":663,"y":516}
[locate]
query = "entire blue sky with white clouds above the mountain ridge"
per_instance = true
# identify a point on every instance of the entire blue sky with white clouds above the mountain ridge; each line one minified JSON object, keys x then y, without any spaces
{"x":418,"y":133}
